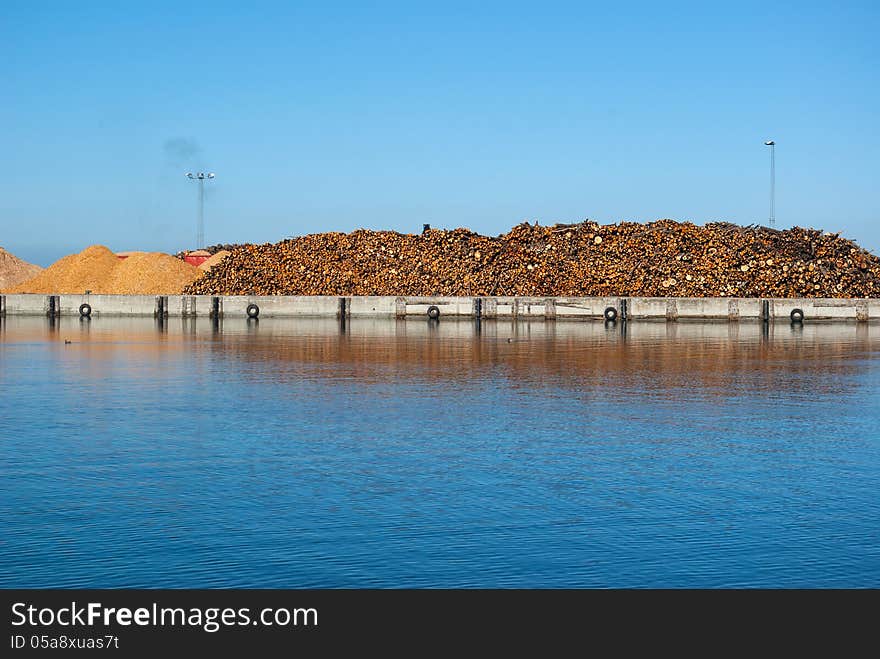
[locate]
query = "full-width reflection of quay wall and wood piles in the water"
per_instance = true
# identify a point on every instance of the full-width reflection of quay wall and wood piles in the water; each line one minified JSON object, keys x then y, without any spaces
{"x":716,"y":359}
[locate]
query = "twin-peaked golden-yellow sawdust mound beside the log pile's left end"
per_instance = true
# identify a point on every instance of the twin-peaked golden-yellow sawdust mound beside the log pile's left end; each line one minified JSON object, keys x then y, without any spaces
{"x":99,"y":270}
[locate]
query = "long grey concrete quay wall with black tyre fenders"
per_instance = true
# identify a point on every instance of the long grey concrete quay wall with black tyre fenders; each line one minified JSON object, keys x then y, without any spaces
{"x":486,"y":308}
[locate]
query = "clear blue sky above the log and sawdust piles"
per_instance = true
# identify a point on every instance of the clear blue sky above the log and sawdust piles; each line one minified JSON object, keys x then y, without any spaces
{"x":329,"y":116}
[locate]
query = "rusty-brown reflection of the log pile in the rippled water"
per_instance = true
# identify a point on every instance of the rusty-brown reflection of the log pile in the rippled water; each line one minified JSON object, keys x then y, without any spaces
{"x":583,"y":358}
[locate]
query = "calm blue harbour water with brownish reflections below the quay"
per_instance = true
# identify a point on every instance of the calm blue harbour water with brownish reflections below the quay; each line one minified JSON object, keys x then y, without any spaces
{"x":293,"y":454}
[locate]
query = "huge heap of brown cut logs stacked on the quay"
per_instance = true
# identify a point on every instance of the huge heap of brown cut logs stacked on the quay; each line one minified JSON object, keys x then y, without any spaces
{"x":663,"y":258}
